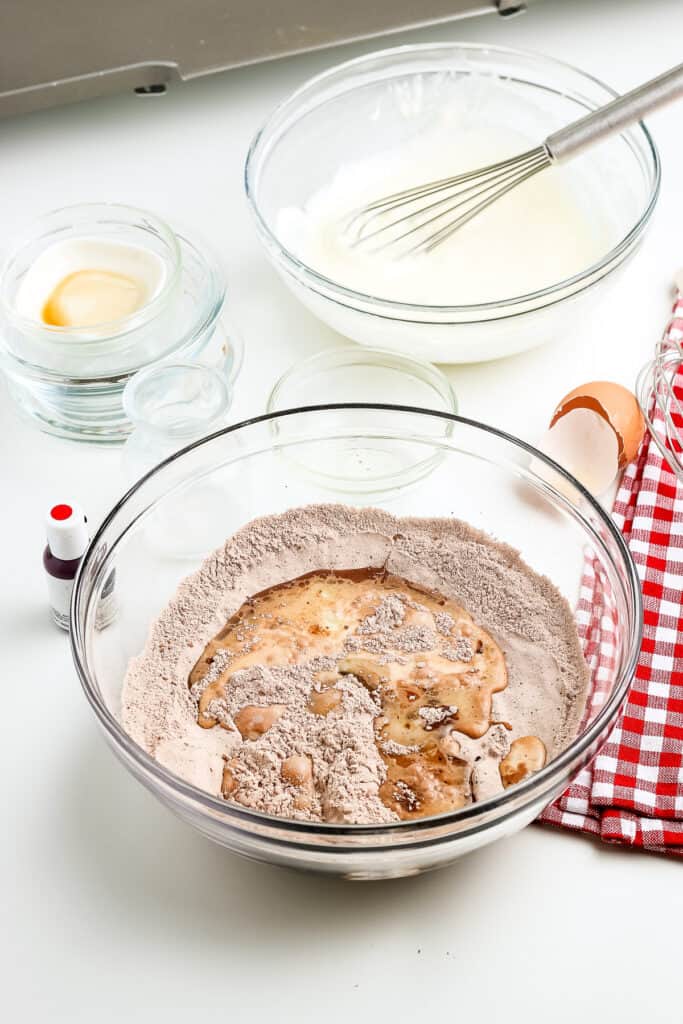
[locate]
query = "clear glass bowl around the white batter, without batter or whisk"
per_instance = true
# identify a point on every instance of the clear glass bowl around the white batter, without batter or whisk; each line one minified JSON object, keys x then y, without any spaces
{"x":363,"y":108}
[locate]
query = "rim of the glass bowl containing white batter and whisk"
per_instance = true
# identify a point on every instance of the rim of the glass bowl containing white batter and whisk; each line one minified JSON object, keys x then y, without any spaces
{"x":530,"y":302}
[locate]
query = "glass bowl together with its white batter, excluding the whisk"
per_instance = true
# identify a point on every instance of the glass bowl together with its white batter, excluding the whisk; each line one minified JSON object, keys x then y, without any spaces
{"x":522,"y":273}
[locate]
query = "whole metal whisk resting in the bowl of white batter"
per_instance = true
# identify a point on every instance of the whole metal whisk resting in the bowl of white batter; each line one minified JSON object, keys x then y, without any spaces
{"x":419,"y":220}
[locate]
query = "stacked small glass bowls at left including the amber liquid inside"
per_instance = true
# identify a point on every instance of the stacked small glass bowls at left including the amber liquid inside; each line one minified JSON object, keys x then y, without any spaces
{"x":91,"y":295}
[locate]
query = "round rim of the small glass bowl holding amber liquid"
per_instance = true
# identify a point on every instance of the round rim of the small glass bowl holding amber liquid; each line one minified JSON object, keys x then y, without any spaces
{"x":119,"y":328}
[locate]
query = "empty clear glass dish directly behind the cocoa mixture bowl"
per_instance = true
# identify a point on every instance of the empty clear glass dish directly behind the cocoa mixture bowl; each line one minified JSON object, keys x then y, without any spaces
{"x":353,"y":373}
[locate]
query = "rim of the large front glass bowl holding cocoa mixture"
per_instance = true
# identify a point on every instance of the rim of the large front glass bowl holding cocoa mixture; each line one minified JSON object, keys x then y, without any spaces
{"x":536,"y":786}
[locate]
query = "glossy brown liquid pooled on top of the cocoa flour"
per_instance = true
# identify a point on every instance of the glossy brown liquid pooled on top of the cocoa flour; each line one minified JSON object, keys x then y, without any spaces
{"x":431,"y":670}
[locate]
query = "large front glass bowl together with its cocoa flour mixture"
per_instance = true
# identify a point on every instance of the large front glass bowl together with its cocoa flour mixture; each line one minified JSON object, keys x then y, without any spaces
{"x":368,"y":686}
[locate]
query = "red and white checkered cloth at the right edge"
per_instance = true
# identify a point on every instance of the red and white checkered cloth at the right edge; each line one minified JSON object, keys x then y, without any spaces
{"x":632,"y":792}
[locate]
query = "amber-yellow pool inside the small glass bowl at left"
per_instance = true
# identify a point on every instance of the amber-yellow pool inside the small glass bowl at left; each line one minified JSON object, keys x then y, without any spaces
{"x":91,"y":297}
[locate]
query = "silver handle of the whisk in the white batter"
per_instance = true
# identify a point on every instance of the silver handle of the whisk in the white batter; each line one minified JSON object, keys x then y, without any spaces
{"x":619,"y":114}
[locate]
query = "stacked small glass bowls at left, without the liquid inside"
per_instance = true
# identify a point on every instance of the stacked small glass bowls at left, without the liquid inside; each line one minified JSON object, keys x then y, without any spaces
{"x":71,"y":381}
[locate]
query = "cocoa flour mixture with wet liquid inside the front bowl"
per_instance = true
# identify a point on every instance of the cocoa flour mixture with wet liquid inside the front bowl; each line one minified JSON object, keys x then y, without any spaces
{"x":340,"y":665}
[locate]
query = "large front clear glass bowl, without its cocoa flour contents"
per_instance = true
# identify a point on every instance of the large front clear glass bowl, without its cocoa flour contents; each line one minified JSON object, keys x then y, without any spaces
{"x":484,"y":477}
